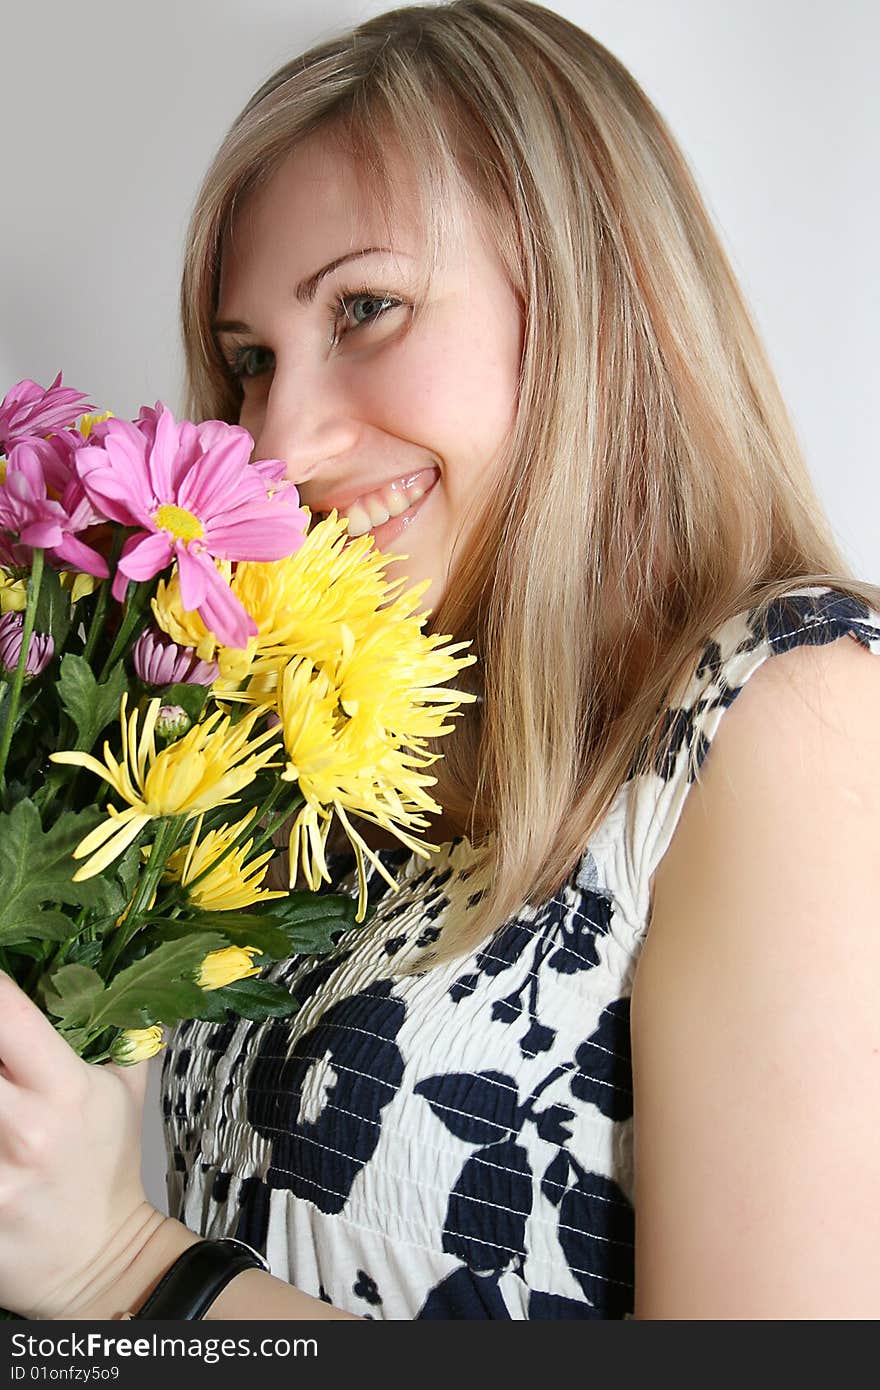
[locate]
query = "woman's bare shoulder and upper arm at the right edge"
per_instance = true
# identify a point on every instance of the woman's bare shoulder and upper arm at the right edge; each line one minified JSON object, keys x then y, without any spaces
{"x":757,"y":1011}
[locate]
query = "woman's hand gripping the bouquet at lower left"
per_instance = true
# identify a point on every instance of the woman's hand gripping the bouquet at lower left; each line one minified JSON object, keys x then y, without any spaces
{"x":73,"y":1210}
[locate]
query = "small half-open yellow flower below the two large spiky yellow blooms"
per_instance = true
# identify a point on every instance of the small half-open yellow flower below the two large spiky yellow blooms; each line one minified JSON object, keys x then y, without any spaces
{"x":234,"y":883}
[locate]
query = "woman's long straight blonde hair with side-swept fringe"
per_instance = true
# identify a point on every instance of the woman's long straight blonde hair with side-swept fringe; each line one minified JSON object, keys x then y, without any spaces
{"x":653,"y":484}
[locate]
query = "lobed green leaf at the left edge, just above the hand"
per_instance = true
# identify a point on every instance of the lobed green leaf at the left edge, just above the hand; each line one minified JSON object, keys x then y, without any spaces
{"x":37,"y":868}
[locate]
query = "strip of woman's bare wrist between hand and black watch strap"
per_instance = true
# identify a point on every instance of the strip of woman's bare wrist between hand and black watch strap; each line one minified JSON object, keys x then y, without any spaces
{"x":141,"y":1257}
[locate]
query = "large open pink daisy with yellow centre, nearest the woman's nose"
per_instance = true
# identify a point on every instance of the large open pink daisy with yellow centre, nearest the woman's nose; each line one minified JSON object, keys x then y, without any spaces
{"x":194,"y":498}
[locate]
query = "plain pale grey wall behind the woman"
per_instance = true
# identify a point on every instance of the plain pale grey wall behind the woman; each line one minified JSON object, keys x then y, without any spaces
{"x":112,"y":112}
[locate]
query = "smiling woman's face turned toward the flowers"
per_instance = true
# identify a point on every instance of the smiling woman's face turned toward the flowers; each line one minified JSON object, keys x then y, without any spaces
{"x":398,"y":430}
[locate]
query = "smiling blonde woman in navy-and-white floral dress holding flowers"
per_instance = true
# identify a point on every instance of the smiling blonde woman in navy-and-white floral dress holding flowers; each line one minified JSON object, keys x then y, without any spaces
{"x":454,"y":269}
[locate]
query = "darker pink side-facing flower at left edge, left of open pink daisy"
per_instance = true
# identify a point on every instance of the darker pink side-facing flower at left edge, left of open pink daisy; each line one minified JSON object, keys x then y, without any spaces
{"x":38,"y":521}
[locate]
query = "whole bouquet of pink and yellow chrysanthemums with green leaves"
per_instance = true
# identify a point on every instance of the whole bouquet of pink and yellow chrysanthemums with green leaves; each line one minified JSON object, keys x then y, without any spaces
{"x":176,"y":636}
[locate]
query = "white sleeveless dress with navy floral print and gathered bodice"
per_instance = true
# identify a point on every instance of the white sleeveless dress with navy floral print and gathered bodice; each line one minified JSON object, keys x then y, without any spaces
{"x":459,"y":1143}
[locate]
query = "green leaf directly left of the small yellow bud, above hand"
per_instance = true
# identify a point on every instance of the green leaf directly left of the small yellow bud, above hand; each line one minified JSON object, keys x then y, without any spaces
{"x":158,"y":989}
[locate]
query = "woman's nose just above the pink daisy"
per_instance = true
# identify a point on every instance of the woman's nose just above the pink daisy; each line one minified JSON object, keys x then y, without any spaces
{"x":305,"y":423}
